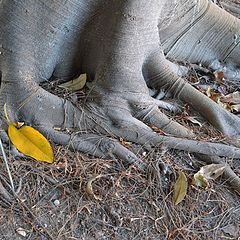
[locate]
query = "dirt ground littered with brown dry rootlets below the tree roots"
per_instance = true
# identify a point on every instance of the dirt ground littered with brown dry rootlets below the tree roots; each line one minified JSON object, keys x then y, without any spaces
{"x":53,"y":201}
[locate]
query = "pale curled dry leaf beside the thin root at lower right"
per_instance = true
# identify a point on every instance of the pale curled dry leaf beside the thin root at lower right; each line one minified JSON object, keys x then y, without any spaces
{"x":208,"y":172}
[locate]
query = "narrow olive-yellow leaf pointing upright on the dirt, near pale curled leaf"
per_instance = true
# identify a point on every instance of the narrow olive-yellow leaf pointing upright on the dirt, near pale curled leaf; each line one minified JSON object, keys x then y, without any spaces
{"x":180,"y":188}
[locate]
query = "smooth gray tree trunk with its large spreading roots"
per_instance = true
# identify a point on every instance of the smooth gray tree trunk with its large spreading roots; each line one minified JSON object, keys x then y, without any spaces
{"x":122,"y":45}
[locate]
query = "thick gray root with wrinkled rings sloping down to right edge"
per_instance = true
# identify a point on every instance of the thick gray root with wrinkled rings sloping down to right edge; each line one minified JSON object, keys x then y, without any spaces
{"x":159,"y":75}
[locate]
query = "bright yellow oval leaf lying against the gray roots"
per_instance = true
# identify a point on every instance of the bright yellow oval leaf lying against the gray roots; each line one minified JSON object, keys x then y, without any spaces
{"x":31,"y":143}
